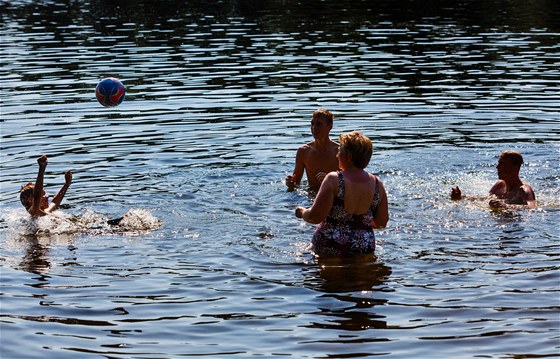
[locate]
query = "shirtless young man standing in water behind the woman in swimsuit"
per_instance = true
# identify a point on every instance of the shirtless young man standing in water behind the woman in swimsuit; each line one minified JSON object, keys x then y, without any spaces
{"x":316,"y":158}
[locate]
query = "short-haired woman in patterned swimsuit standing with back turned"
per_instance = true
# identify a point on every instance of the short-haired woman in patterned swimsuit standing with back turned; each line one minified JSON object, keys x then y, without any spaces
{"x":350,"y":204}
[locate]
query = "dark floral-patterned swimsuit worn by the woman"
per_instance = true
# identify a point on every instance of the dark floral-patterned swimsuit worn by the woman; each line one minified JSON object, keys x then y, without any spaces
{"x":345,"y":233}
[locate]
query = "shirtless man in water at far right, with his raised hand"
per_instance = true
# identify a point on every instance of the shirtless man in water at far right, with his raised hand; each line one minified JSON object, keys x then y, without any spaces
{"x":510,"y":190}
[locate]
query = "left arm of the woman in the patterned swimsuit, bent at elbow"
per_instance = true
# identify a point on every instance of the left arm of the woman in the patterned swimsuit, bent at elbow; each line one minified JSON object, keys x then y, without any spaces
{"x":323,"y":202}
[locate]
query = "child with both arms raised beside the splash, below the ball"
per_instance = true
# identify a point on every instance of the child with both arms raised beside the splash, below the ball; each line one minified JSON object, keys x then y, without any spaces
{"x":33,"y":196}
